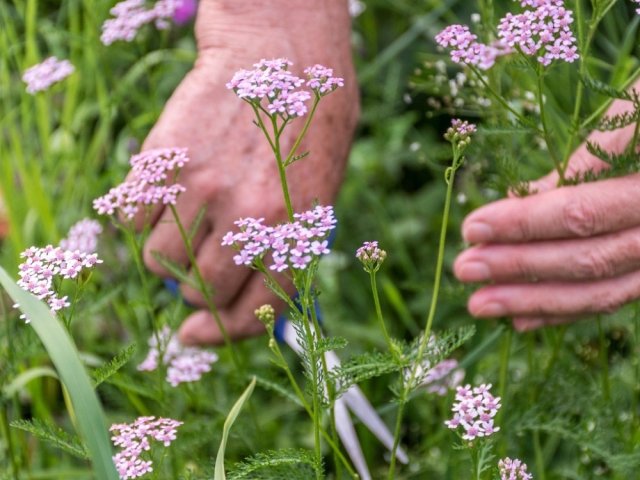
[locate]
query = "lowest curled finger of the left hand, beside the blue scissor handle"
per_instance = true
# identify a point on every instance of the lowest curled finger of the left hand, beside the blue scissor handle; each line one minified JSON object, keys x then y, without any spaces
{"x":239,"y":319}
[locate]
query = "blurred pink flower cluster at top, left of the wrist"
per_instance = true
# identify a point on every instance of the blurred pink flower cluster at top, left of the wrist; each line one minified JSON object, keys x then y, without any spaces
{"x":131,"y":15}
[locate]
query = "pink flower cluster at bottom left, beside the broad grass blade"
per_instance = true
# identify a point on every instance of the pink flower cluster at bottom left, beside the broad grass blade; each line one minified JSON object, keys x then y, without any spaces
{"x":134,"y":439}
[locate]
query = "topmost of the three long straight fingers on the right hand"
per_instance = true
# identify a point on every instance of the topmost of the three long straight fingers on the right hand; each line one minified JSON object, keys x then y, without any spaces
{"x":577,"y":211}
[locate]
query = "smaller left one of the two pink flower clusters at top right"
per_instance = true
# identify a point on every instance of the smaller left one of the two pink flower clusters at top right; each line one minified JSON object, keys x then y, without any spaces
{"x":466,"y":48}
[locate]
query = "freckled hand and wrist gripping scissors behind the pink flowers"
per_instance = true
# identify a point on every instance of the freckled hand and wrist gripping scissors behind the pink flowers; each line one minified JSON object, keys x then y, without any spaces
{"x":232,"y":172}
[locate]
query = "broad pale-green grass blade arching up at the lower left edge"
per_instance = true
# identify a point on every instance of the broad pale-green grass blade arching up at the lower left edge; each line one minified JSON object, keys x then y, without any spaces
{"x":90,"y":420}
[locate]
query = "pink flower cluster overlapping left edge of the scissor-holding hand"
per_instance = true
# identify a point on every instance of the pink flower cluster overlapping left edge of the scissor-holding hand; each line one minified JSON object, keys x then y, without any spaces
{"x":147,"y":184}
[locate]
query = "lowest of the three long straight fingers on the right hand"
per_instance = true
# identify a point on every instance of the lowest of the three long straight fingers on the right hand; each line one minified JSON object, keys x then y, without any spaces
{"x":554,"y":299}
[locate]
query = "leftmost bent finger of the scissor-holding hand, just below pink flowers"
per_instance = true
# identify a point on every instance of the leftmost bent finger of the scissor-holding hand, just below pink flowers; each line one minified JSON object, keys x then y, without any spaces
{"x":165,"y":238}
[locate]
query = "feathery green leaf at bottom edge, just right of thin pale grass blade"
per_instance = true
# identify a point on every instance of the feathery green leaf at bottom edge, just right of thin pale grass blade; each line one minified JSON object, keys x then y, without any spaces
{"x":289,"y":464}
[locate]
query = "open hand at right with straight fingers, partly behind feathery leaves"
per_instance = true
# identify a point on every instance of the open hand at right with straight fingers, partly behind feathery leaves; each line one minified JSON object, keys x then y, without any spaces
{"x":559,"y":253}
